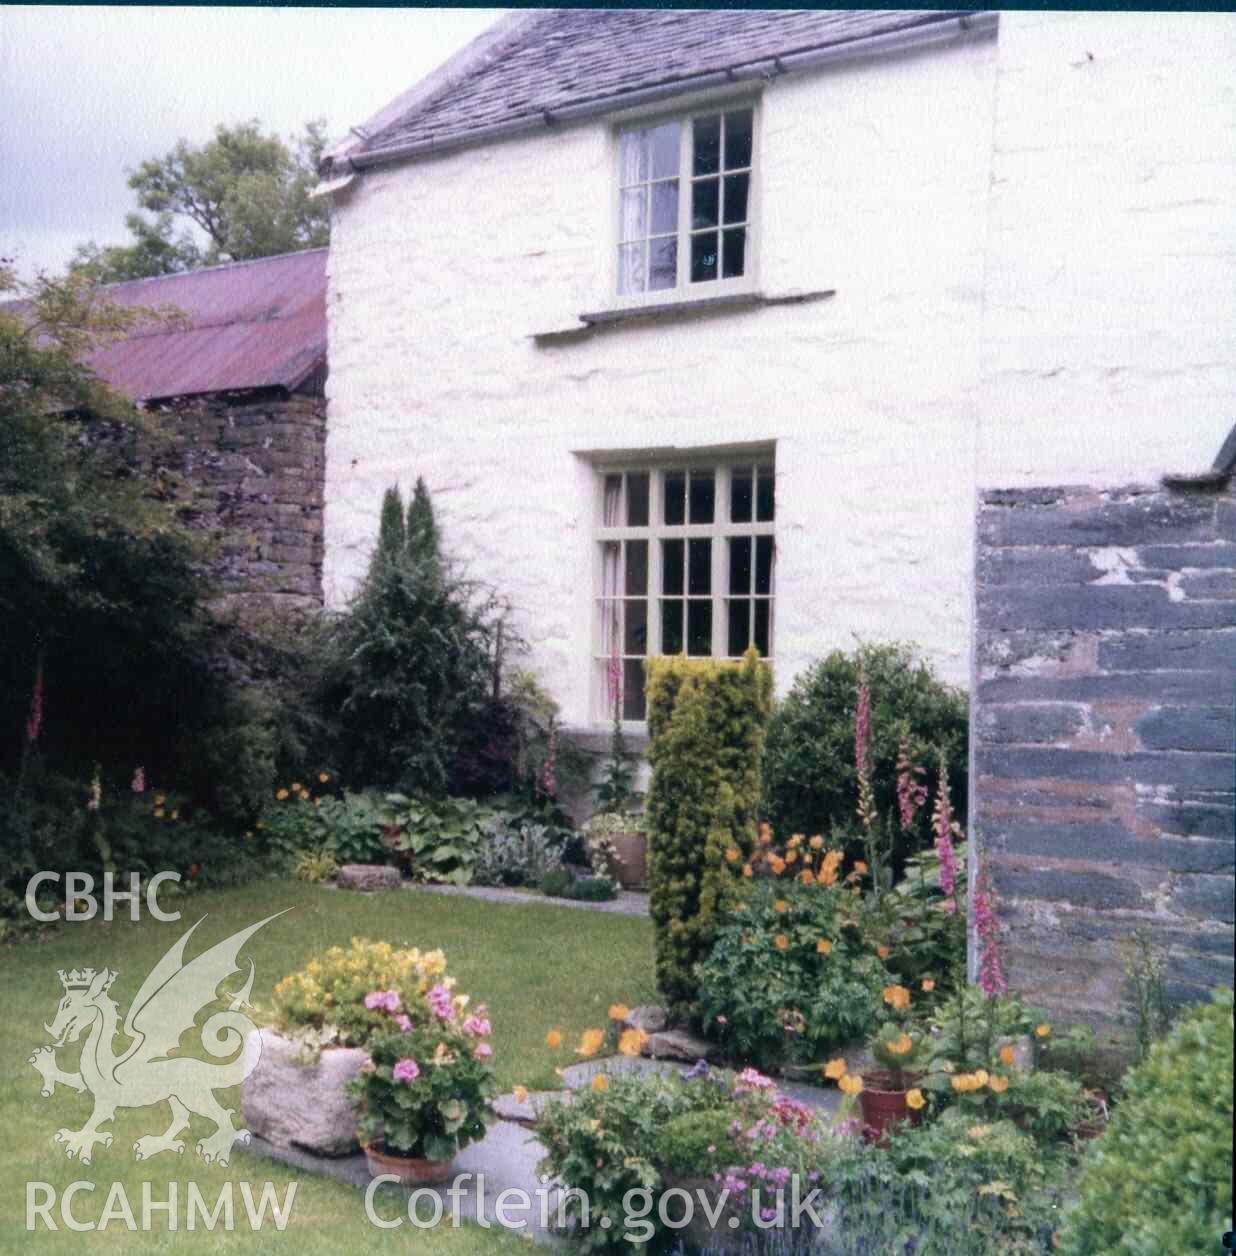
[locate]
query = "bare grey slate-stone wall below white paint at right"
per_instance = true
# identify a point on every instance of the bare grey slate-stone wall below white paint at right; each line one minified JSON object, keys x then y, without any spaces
{"x":1103,"y":735}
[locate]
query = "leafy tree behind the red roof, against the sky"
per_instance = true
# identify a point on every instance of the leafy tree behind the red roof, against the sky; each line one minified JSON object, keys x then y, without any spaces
{"x":246,"y":194}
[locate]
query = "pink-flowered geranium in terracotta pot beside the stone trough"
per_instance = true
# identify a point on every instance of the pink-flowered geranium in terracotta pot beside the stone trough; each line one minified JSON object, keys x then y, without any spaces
{"x":426,"y":1092}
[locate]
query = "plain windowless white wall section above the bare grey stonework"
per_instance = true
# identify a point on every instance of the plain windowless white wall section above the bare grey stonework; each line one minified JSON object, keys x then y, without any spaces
{"x":1109,"y":349}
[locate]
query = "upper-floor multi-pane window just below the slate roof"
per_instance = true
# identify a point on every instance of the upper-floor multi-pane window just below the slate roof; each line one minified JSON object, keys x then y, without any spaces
{"x":685,"y":203}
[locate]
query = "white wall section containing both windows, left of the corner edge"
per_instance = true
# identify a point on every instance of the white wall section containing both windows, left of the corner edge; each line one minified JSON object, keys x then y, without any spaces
{"x":872,"y":181}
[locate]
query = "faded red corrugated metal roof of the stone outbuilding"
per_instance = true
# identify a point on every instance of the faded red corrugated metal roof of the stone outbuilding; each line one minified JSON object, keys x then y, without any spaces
{"x":253,"y":325}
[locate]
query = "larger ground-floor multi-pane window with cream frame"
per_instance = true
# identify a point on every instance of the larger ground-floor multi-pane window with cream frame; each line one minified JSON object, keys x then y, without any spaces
{"x":686,"y":567}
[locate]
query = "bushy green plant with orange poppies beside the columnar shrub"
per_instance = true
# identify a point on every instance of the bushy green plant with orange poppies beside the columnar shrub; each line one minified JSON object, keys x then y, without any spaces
{"x":789,"y":978}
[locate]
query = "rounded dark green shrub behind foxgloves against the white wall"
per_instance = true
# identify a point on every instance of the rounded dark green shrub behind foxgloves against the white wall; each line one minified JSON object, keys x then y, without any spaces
{"x":810,"y":778}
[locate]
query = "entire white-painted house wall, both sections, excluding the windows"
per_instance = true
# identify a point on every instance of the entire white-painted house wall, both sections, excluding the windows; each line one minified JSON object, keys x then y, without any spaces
{"x":920,"y":188}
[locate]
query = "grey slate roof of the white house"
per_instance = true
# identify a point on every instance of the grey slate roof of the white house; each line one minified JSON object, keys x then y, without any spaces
{"x":576,"y":56}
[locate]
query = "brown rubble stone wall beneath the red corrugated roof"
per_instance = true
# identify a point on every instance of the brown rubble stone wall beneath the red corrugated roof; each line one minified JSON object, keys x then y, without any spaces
{"x":253,"y":468}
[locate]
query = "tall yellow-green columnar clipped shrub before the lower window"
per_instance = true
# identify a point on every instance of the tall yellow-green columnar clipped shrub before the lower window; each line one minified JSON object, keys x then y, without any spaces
{"x":707,"y":723}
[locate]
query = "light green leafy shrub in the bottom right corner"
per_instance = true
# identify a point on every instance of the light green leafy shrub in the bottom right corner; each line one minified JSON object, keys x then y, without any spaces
{"x":1160,"y":1180}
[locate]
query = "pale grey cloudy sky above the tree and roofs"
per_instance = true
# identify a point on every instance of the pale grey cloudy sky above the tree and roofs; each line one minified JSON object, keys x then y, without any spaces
{"x":86,"y":92}
